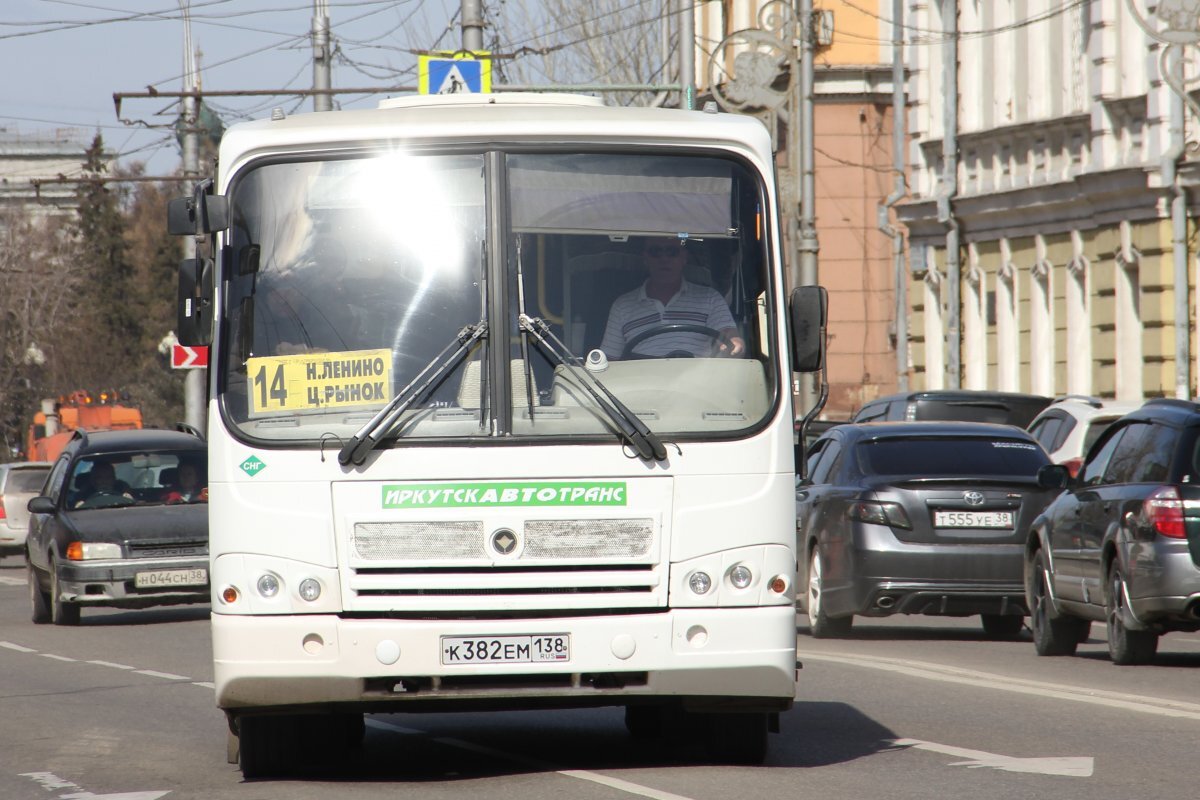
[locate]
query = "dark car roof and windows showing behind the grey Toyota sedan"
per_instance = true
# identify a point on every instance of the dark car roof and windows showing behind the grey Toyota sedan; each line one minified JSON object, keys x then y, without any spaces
{"x":961,"y":405}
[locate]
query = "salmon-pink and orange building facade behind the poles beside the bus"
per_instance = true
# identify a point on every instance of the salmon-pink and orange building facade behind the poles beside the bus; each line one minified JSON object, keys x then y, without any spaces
{"x":854,"y":166}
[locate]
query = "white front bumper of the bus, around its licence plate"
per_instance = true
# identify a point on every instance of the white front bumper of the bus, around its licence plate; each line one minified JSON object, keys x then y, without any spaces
{"x":729,"y":659}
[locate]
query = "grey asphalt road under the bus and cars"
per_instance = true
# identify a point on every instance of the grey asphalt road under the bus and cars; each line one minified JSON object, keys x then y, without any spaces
{"x":122,"y":708}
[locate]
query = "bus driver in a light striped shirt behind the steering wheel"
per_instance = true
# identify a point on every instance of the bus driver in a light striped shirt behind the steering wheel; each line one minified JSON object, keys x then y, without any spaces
{"x":667,"y":299}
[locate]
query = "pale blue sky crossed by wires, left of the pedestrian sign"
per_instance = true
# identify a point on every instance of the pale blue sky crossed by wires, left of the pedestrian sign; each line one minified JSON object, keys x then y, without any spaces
{"x":64,"y":59}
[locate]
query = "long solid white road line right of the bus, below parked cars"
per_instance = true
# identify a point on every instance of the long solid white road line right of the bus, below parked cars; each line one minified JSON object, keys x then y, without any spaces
{"x":1141,"y":703}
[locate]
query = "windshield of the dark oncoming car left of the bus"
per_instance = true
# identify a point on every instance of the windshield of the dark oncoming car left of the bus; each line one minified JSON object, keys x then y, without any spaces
{"x":119,"y":480}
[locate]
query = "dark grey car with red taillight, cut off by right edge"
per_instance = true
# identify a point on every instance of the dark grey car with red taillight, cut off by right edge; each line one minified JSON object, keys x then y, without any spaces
{"x":1123,"y":544}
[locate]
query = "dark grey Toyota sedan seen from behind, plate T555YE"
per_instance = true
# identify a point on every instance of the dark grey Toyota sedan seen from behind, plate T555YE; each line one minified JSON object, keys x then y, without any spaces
{"x":919,"y":519}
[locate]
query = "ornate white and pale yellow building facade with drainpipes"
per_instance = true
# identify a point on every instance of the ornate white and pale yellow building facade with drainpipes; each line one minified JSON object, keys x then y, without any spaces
{"x":1052,"y":248}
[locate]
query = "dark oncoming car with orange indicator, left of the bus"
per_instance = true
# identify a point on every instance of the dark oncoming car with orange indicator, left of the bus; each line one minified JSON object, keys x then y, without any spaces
{"x":124,"y":522}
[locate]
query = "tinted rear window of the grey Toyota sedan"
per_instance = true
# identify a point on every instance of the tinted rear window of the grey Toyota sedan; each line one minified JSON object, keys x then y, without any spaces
{"x":950,"y":456}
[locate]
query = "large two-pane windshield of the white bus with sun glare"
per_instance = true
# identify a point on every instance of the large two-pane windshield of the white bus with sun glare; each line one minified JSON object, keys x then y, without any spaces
{"x":349,"y":278}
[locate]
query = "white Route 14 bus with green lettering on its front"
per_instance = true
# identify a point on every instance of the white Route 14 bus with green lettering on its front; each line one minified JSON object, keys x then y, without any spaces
{"x":446,"y":472}
